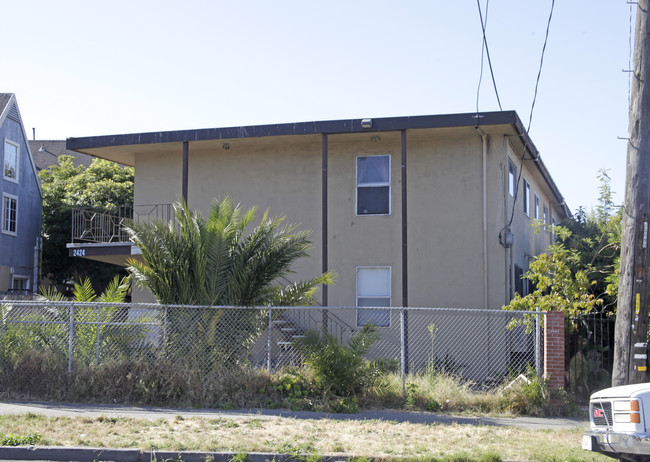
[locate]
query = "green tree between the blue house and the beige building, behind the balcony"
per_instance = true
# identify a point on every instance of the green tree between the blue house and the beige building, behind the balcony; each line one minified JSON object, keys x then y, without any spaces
{"x":103,"y":184}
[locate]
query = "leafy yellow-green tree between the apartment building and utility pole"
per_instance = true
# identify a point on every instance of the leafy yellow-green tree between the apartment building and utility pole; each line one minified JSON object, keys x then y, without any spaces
{"x":578,"y":273}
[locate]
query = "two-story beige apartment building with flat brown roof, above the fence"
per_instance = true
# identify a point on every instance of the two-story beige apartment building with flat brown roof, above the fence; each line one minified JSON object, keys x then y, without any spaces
{"x":408,"y":211}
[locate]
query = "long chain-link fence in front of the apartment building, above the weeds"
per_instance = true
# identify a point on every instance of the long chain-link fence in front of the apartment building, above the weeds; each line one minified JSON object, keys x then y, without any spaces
{"x":49,"y":346}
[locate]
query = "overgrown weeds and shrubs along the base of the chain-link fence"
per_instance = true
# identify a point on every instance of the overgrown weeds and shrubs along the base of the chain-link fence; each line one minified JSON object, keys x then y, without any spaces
{"x":336,"y":379}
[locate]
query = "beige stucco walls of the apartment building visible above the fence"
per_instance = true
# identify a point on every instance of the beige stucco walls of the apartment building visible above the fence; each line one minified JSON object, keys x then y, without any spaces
{"x":445,"y":206}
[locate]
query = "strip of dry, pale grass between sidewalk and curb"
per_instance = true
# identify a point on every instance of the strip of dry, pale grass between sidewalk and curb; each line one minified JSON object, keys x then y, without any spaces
{"x":379,"y":439}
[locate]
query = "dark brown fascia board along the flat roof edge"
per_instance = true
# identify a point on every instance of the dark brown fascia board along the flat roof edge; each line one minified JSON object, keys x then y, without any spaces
{"x":330,"y":127}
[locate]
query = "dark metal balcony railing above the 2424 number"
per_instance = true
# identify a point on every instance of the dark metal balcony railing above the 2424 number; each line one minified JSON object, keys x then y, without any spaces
{"x":104,"y":226}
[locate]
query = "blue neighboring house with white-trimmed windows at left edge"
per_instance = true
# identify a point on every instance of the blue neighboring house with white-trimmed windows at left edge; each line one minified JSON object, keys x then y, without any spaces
{"x":22,"y":201}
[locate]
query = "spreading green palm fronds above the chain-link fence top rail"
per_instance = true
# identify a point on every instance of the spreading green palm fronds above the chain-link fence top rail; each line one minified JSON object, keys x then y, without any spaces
{"x":216,"y":262}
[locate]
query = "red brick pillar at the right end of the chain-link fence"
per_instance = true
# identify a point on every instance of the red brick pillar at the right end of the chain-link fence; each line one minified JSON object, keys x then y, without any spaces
{"x":554,"y":349}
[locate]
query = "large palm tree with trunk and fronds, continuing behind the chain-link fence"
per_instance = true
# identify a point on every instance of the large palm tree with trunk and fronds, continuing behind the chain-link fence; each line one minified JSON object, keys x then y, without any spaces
{"x":215,"y":262}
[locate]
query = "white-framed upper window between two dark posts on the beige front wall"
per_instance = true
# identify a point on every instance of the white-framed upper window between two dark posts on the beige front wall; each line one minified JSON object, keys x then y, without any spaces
{"x":373,"y":185}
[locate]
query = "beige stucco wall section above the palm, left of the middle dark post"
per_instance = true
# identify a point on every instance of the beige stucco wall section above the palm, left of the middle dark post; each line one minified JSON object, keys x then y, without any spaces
{"x":283,"y":177}
